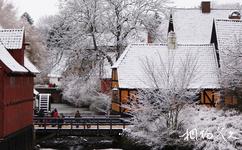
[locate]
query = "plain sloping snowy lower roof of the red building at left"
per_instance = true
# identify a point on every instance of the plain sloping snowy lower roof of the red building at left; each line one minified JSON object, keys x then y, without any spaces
{"x":9,"y":61}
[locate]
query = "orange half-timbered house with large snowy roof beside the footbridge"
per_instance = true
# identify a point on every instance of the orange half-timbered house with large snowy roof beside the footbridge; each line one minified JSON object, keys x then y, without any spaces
{"x":128,"y":72}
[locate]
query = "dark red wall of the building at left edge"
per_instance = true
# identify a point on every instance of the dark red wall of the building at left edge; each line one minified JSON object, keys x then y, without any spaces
{"x":17,"y":99}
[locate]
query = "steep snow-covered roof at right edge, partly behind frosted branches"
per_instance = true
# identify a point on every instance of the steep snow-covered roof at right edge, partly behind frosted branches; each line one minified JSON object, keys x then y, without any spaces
{"x":229,"y":35}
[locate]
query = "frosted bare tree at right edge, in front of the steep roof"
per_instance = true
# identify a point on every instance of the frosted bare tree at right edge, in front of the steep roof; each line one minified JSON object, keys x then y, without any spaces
{"x":231,"y":72}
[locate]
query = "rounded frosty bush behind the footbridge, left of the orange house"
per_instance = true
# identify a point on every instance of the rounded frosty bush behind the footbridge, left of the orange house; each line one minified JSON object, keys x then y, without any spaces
{"x":84,"y":92}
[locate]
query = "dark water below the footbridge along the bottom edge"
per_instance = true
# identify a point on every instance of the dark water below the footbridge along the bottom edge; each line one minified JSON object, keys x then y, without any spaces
{"x":91,"y":143}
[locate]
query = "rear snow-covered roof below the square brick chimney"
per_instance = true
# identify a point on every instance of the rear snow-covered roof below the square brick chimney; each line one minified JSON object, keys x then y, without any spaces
{"x":193,"y":26}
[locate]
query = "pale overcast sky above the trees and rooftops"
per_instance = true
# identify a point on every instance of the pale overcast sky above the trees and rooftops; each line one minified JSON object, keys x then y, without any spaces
{"x":39,"y":8}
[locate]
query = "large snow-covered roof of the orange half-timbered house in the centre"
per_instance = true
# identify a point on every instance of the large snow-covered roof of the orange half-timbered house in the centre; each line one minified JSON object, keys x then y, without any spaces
{"x":131,"y":72}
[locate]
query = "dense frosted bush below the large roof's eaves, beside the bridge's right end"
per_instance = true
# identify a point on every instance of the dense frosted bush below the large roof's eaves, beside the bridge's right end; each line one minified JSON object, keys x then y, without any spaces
{"x":157,"y":120}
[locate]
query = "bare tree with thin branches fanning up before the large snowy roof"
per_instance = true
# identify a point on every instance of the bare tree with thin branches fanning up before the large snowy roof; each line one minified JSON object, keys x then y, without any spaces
{"x":170,"y":89}
